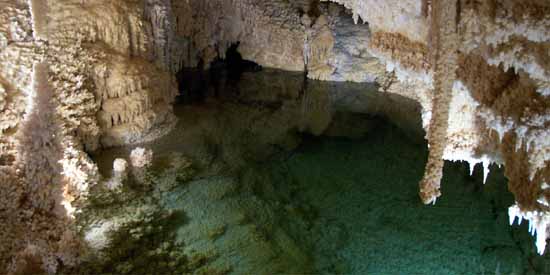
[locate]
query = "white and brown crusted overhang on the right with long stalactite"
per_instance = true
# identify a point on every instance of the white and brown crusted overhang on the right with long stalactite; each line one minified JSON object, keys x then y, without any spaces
{"x":498,"y":110}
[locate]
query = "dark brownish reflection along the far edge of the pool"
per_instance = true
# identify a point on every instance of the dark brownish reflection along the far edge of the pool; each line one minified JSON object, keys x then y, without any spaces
{"x":229,"y":121}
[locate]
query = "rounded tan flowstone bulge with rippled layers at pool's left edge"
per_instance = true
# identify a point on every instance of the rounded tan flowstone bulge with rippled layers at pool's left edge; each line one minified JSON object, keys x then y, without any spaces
{"x":135,"y":100}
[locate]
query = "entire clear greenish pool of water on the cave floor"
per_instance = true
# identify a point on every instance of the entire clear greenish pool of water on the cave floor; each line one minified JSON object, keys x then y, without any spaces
{"x":297,"y":177}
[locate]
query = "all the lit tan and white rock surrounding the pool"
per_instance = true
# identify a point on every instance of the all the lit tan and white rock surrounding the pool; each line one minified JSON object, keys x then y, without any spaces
{"x":483,"y":83}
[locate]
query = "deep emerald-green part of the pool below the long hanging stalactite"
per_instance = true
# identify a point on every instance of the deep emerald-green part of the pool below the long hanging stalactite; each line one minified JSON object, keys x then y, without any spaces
{"x":366,"y":190}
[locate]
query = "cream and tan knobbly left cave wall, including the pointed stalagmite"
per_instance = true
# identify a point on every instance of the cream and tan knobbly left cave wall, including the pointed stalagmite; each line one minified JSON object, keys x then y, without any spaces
{"x":103,"y":62}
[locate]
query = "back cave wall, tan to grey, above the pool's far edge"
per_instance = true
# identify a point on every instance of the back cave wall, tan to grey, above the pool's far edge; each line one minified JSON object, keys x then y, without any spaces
{"x":276,"y":34}
